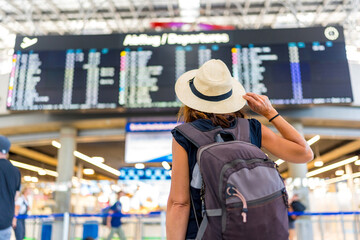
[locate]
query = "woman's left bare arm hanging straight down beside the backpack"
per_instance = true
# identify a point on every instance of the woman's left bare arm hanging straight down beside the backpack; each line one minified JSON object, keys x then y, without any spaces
{"x":178,"y":206}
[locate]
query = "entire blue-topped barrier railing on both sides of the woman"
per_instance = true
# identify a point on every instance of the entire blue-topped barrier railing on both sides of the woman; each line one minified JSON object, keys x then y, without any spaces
{"x":324,"y":225}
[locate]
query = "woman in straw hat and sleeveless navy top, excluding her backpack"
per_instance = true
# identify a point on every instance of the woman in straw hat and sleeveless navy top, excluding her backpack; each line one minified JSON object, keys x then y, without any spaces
{"x":211,"y":98}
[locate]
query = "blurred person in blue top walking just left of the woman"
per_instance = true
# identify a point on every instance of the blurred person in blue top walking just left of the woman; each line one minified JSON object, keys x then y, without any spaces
{"x":114,"y":222}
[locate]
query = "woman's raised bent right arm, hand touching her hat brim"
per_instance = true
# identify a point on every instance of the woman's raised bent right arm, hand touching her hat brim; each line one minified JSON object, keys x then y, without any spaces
{"x":290,"y":146}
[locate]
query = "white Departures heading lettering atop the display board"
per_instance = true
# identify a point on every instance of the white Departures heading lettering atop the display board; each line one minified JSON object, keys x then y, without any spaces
{"x":175,"y":39}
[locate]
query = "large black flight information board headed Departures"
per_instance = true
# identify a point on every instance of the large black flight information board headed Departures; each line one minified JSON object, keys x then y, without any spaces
{"x":139,"y":70}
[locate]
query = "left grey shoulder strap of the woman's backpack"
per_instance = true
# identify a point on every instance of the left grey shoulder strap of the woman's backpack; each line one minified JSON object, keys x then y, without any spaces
{"x":196,"y":136}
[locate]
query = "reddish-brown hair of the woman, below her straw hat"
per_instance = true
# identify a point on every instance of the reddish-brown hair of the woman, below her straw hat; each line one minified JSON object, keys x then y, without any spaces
{"x":188,"y":114}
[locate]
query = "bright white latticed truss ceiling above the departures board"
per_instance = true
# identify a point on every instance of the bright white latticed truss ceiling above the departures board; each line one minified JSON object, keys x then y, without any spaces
{"x":43,"y":17}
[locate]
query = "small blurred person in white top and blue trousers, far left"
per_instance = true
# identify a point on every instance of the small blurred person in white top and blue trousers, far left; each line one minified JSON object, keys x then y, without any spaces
{"x":21,"y":210}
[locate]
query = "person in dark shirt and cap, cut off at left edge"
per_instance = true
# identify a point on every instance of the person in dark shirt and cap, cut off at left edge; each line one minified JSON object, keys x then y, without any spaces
{"x":10,"y":180}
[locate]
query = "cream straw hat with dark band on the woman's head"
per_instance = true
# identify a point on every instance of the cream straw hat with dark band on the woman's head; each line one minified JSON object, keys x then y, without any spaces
{"x":211,"y":89}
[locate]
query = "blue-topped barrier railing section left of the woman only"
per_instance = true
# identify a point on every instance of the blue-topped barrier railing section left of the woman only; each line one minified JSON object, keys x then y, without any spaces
{"x":67,"y":226}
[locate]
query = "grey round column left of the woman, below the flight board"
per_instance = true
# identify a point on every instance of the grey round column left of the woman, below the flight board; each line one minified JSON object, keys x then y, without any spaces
{"x":65,"y":169}
